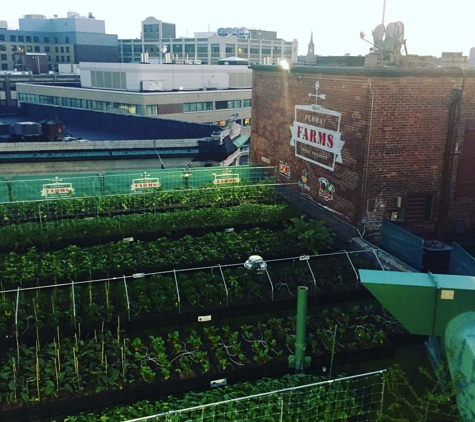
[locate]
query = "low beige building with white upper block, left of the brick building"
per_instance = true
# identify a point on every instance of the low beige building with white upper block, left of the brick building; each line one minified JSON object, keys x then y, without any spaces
{"x":201,"y":94}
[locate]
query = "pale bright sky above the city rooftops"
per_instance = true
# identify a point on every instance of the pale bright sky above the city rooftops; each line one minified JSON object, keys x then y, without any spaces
{"x":431,"y":26}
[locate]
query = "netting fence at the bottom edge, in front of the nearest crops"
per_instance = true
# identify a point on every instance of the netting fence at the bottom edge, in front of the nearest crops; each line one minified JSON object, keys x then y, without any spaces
{"x":354,"y":398}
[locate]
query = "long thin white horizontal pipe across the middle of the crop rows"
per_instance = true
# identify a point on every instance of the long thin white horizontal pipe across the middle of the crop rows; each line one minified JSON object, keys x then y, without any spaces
{"x":174,"y":271}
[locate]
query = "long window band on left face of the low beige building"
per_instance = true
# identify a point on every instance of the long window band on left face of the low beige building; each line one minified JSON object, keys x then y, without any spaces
{"x":78,"y":103}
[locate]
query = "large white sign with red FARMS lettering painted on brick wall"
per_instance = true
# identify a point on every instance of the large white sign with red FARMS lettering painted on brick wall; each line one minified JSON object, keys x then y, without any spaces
{"x":312,"y":139}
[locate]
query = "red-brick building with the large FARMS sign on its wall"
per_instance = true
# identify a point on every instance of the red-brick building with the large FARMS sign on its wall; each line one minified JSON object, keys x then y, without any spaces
{"x":372,"y":143}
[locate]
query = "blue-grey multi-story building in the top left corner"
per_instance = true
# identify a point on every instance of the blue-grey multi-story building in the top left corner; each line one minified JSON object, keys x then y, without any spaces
{"x":72,"y":39}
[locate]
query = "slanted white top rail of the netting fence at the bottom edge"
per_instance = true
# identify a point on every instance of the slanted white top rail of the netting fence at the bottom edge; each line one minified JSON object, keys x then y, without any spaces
{"x":267,"y":393}
